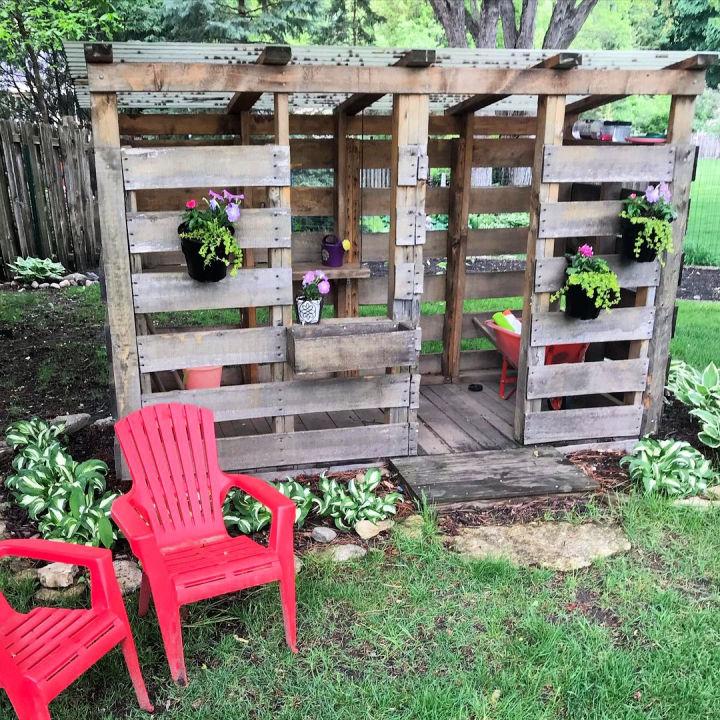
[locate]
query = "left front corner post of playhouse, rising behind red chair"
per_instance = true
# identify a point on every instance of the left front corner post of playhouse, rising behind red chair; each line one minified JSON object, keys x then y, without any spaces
{"x":115,"y":253}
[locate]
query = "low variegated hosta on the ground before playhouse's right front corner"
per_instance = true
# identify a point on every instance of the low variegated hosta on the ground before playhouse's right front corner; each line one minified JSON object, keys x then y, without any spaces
{"x":672,"y":467}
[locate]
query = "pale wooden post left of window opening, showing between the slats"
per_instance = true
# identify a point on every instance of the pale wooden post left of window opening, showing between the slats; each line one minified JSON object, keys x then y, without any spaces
{"x":281,"y":257}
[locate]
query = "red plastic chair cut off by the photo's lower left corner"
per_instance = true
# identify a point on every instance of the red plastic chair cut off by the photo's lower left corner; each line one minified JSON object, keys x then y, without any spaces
{"x":47,"y":649}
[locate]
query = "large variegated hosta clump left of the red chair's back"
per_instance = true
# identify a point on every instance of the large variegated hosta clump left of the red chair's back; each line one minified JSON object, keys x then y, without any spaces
{"x":68,"y":499}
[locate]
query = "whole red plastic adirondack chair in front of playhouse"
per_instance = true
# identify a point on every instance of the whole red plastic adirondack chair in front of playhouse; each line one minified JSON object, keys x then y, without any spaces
{"x":173,"y":520}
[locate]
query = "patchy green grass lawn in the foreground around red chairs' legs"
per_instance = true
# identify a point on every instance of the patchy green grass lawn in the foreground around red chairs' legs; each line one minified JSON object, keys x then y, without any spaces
{"x":414,"y":632}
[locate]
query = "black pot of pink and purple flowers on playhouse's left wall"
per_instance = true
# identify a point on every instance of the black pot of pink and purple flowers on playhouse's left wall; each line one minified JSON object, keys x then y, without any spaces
{"x":207,"y":229}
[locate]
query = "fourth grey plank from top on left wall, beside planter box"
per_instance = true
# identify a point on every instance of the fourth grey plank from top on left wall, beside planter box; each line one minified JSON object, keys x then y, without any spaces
{"x":176,"y":350}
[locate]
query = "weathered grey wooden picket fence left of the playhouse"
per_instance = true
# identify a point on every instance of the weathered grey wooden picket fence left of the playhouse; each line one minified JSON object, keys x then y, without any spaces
{"x":47,"y":206}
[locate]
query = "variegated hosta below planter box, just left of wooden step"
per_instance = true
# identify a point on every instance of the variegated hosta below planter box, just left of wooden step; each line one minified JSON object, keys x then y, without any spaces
{"x":347,"y":505}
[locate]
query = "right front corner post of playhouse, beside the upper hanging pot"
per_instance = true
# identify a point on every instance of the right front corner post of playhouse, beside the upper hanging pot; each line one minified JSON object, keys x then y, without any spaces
{"x":682,"y":110}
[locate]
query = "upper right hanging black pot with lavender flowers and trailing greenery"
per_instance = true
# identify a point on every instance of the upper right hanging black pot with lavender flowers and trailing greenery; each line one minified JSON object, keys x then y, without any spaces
{"x":647,"y":222}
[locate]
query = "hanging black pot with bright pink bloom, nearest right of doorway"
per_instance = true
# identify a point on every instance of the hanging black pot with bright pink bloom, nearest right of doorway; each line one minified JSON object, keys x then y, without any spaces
{"x":590,"y":285}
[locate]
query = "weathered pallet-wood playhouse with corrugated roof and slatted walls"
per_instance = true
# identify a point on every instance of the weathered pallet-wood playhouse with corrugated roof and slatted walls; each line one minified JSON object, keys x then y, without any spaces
{"x":172,"y":120}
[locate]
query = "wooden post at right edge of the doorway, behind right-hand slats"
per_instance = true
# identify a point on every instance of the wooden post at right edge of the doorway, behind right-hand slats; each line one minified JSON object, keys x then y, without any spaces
{"x":550,"y":119}
